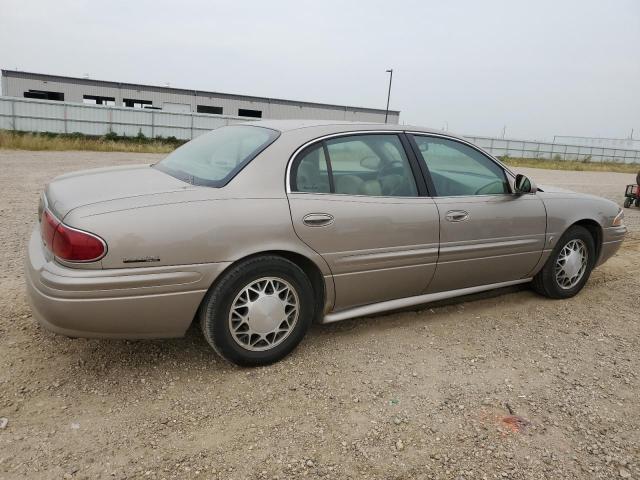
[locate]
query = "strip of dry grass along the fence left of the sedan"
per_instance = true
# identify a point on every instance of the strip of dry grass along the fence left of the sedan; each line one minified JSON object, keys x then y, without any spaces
{"x":109,"y":143}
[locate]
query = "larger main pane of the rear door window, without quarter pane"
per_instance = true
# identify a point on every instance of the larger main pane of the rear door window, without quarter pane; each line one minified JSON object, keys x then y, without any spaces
{"x":373,"y":165}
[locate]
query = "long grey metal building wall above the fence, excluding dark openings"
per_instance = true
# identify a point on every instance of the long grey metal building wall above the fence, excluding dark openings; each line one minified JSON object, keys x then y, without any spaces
{"x":16,"y":83}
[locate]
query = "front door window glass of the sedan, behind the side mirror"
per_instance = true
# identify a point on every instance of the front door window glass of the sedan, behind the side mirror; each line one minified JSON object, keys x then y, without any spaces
{"x":457,"y":169}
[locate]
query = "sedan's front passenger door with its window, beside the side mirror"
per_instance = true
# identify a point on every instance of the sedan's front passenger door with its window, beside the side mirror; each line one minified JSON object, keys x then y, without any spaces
{"x":487,"y":233}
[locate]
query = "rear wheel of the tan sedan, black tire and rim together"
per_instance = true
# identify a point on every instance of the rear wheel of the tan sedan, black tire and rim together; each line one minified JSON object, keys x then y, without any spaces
{"x":258,"y":311}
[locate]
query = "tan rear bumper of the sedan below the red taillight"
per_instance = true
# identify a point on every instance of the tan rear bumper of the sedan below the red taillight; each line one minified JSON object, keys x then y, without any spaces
{"x":148,"y":302}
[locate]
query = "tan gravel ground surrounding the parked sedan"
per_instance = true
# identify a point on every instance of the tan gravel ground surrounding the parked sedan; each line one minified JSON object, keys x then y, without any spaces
{"x":417,"y":394}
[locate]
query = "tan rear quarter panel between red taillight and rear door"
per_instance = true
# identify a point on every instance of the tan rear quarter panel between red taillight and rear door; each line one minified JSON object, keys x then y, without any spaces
{"x":205,"y":231}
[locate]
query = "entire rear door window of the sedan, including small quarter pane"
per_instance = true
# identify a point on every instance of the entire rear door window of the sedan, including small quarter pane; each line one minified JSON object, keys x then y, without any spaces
{"x":371,"y":165}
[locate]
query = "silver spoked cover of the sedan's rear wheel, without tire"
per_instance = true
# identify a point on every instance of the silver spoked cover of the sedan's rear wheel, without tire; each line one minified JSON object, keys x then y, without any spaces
{"x":264,"y":314}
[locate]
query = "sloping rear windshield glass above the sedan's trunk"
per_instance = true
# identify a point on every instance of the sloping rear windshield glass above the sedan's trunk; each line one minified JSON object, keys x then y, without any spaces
{"x":214,"y":158}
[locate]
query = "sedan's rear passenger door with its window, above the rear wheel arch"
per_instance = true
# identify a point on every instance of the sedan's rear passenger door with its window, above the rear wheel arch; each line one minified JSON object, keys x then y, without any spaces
{"x":359,"y":201}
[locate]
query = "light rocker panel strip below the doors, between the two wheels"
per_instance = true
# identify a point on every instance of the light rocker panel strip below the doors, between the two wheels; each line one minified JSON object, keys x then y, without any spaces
{"x":411,"y":301}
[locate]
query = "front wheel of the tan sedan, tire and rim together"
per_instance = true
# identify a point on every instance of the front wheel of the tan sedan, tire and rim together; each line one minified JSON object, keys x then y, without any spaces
{"x":569,"y":265}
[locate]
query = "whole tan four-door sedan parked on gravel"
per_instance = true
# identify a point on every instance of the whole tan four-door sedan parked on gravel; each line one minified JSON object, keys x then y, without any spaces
{"x":257,"y":230}
